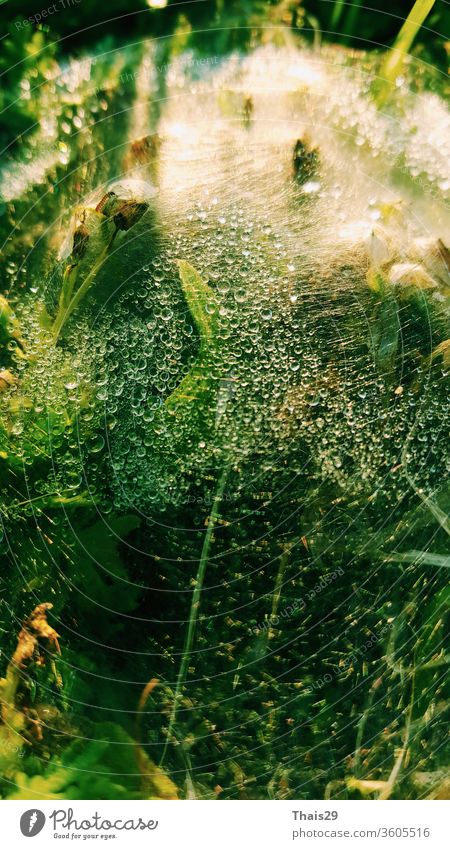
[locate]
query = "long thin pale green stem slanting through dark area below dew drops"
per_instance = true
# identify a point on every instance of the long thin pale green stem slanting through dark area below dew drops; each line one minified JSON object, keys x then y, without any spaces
{"x":195,"y":603}
